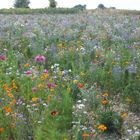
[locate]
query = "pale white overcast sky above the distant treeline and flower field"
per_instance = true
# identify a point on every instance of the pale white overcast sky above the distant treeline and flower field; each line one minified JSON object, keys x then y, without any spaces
{"x":91,"y":4}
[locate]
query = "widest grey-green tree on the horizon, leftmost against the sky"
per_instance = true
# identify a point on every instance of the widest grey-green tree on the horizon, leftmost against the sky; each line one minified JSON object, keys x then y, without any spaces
{"x":21,"y":3}
